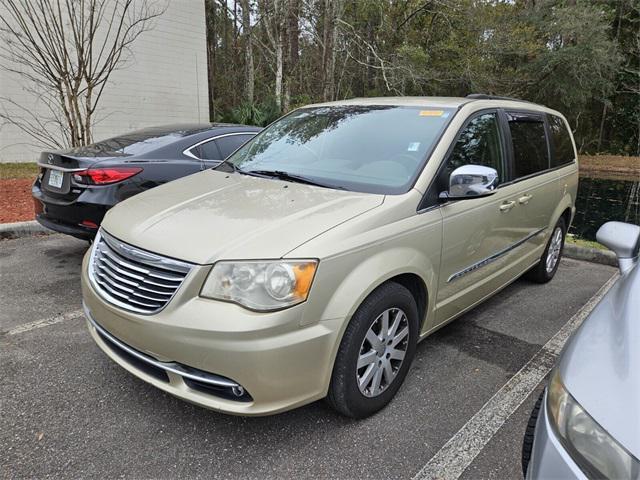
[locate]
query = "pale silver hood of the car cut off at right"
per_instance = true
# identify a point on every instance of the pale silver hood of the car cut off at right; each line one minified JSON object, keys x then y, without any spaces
{"x":600,"y":366}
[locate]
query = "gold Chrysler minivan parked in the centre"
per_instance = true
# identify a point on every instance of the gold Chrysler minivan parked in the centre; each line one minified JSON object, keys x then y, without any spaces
{"x":312,"y":261}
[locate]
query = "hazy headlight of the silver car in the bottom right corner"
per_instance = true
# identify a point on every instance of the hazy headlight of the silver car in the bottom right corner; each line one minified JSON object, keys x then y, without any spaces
{"x":590,"y":446}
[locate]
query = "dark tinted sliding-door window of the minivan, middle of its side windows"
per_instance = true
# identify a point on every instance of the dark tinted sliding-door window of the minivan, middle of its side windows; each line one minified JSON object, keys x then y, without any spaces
{"x":530,"y":154}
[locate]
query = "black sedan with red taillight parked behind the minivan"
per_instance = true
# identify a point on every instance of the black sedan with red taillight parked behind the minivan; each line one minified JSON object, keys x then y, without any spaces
{"x":76,"y":187}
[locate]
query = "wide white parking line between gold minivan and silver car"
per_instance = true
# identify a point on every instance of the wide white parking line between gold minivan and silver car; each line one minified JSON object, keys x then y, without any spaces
{"x":461,"y":449}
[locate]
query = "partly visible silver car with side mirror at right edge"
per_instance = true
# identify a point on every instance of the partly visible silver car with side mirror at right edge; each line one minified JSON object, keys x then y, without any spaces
{"x":588,"y":420}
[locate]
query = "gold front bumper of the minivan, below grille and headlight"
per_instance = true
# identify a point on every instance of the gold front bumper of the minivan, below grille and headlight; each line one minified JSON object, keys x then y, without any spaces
{"x":279,"y":363}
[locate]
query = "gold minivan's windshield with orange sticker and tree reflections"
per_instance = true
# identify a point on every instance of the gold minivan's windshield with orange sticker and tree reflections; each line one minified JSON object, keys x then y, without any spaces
{"x":375,"y":149}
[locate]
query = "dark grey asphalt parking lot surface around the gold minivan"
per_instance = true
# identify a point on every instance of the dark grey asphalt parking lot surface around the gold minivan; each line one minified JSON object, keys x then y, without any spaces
{"x":66,"y":410}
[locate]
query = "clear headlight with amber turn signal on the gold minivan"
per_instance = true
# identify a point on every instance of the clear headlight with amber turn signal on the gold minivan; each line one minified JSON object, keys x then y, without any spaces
{"x":261,"y":285}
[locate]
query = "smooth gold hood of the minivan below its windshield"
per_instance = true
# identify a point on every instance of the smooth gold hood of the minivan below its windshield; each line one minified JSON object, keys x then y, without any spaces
{"x":214,"y":215}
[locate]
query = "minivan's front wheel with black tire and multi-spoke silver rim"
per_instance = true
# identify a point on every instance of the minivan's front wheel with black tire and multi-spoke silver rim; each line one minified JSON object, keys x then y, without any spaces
{"x":353,"y":391}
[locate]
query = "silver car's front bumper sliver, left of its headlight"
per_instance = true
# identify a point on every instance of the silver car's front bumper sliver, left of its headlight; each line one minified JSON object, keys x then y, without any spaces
{"x":549,"y":459}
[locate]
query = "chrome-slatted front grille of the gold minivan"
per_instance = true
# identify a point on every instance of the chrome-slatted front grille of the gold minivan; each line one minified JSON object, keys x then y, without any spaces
{"x":131,"y":278}
